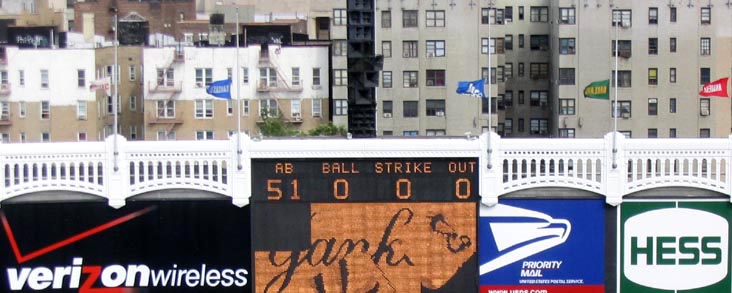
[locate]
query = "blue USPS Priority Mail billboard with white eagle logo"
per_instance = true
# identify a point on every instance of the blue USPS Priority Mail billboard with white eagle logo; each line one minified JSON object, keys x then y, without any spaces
{"x":548,"y":246}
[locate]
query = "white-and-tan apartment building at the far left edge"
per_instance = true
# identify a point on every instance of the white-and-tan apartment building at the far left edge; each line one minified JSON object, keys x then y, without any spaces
{"x":45,"y":96}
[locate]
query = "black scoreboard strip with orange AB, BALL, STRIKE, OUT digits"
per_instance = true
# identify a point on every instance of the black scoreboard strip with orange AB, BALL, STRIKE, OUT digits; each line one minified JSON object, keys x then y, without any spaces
{"x":365,"y":180}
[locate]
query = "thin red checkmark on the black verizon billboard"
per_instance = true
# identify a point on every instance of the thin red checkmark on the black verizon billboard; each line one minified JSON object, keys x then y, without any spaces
{"x":74,"y":238}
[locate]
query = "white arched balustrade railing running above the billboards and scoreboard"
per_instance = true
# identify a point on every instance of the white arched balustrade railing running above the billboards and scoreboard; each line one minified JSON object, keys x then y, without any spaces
{"x":517,"y":164}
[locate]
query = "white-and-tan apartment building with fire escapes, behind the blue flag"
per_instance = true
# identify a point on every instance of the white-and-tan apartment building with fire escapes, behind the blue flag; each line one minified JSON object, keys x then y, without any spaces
{"x":290,"y":82}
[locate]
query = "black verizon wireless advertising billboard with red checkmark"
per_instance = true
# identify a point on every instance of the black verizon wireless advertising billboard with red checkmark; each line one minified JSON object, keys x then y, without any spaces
{"x":145,"y":246}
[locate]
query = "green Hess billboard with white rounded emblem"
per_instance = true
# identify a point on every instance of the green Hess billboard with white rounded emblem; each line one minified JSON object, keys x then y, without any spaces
{"x":675,"y":246}
